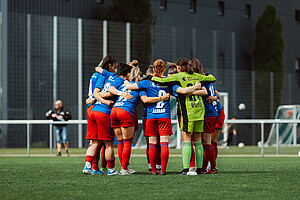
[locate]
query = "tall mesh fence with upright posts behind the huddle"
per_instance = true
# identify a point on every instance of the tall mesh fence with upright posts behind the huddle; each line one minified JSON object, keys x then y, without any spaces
{"x":51,"y":58}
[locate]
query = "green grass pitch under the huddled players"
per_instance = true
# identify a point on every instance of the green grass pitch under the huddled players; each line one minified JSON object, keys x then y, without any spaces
{"x":61,"y":178}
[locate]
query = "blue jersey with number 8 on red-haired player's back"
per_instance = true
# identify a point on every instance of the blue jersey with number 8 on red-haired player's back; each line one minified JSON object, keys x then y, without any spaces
{"x":159,"y":109}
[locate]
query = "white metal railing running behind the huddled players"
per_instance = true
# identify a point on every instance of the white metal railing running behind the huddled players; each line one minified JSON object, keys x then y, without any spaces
{"x":80,"y":122}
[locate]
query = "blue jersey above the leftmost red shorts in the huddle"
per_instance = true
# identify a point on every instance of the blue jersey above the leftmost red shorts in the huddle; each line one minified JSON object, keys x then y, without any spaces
{"x":112,"y":80}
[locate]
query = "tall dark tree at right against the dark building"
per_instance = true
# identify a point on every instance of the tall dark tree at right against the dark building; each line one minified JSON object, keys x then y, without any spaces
{"x":268,"y":57}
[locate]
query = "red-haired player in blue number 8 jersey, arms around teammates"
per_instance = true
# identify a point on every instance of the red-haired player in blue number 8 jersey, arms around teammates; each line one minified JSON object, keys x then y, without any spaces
{"x":158,"y":115}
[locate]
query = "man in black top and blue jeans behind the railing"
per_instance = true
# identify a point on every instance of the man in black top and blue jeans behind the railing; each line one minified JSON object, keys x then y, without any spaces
{"x":59,"y":113}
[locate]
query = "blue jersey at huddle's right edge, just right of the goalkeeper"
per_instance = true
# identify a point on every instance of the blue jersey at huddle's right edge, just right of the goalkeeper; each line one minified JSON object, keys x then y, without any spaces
{"x":211,"y":109}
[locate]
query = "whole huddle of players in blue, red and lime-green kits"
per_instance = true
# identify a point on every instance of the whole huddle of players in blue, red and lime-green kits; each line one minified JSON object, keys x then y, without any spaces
{"x":112,"y":112}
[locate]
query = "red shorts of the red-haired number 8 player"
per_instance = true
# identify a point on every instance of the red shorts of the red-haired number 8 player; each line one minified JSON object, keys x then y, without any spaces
{"x":158,"y":127}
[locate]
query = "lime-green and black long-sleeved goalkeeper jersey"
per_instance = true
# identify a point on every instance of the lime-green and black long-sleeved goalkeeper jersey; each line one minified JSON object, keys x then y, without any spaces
{"x":192,"y":107}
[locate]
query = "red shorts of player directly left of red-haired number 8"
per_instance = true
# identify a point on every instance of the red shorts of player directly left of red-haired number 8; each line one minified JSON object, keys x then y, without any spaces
{"x":121,"y":118}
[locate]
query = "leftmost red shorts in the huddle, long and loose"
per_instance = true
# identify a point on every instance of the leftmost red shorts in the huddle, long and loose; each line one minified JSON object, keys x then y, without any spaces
{"x":99,"y":127}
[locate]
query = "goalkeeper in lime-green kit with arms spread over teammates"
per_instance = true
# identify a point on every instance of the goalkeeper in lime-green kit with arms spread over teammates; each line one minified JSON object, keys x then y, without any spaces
{"x":192,"y":111}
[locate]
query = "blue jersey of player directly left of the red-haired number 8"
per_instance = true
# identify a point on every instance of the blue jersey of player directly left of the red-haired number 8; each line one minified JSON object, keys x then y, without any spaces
{"x":128,"y":104}
